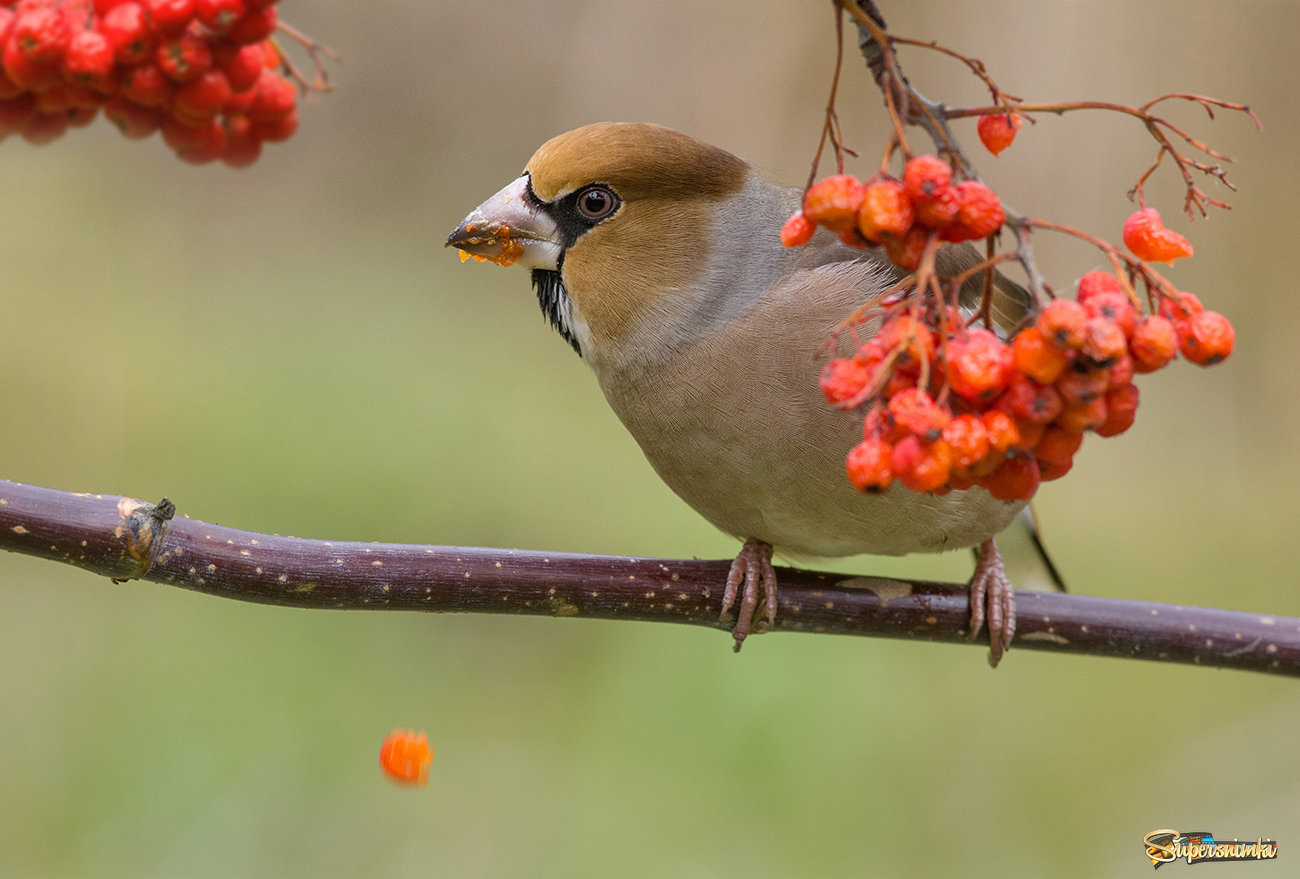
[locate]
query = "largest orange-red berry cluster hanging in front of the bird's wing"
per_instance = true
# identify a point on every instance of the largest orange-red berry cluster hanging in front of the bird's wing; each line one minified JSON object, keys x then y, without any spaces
{"x":955,"y":406}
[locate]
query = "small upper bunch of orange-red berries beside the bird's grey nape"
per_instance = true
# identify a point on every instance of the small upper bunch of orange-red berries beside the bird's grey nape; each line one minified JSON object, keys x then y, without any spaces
{"x":903,"y":215}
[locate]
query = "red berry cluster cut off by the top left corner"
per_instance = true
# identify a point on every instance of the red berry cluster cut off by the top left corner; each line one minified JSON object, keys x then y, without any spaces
{"x":202,"y":72}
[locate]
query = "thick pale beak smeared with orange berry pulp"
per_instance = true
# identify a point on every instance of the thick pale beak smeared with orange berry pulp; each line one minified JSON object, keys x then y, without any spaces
{"x":509,"y":230}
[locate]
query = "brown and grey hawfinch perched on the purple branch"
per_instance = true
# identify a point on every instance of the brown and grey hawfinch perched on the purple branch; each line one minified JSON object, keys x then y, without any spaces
{"x":657,"y":258}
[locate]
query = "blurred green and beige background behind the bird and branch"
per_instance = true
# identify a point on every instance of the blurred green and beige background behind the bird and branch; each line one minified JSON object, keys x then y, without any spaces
{"x":291,"y":349}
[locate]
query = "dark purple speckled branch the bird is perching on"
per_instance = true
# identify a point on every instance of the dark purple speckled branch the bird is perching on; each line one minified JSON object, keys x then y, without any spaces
{"x":124,"y":539}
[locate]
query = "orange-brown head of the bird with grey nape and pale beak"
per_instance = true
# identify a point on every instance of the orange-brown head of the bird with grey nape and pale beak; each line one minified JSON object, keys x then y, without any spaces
{"x":639,"y":239}
